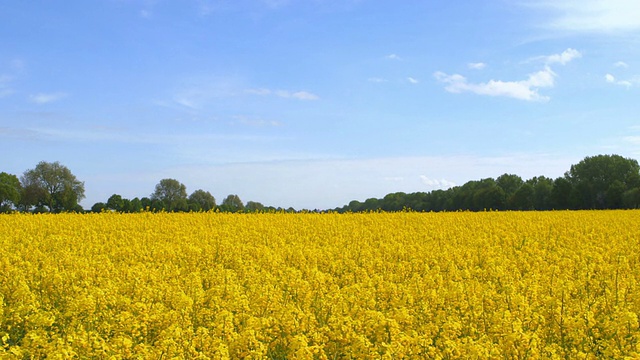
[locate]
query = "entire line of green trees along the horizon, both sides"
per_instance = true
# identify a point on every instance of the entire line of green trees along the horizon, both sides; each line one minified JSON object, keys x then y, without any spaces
{"x":596,"y":182}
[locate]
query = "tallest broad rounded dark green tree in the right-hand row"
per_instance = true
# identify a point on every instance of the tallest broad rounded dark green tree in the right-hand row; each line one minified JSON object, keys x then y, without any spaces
{"x":593,"y":176}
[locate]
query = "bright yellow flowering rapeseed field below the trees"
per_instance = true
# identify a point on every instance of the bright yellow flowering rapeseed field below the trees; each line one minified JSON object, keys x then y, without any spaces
{"x":499,"y":285}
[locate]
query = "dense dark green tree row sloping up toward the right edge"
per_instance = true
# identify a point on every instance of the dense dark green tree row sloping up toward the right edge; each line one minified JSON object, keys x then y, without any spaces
{"x":596,"y":182}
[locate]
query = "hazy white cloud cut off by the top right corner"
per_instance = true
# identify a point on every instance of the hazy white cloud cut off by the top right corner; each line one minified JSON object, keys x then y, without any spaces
{"x":592,"y":16}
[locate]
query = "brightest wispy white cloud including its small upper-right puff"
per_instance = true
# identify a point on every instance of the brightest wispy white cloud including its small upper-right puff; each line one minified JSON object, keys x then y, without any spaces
{"x":521,"y":89}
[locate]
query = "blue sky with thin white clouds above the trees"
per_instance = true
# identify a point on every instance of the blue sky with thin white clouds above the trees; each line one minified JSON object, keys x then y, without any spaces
{"x":313,"y":103}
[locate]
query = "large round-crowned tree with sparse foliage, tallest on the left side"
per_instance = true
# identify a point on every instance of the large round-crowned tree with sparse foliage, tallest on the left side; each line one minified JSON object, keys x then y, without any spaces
{"x":52,"y":185}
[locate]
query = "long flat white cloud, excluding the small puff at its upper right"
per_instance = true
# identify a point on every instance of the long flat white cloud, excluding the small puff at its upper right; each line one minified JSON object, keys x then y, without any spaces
{"x":523,"y":89}
